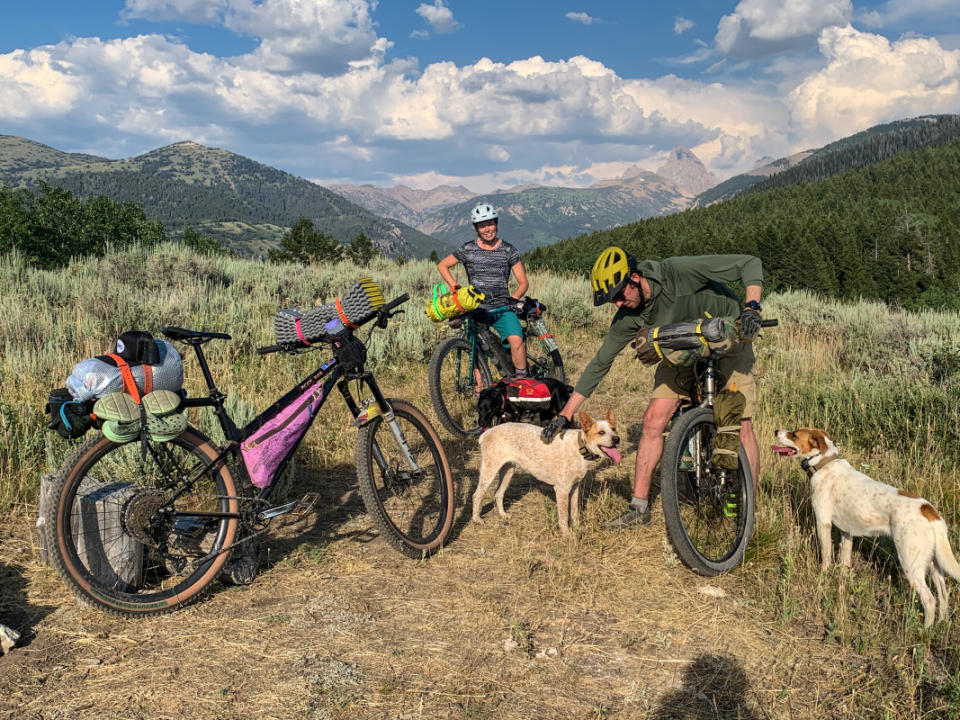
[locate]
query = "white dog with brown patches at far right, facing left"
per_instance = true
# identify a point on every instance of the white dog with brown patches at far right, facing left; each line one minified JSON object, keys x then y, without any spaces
{"x":861,"y":506}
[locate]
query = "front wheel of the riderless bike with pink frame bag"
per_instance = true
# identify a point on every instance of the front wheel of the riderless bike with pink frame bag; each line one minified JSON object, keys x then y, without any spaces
{"x":405,"y":480}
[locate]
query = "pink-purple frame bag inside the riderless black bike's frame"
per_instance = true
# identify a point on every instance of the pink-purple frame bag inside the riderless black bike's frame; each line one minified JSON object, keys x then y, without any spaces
{"x":271,"y":443}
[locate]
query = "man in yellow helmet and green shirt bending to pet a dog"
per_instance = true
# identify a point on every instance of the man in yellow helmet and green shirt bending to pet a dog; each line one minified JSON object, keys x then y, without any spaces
{"x":651,"y":294}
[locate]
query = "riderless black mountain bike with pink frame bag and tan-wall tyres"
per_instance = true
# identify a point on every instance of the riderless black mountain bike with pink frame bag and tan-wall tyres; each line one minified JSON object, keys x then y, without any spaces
{"x":144,"y":527}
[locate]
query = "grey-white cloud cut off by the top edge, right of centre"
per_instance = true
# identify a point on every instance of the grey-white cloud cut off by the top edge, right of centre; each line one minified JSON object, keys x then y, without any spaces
{"x":757,"y":28}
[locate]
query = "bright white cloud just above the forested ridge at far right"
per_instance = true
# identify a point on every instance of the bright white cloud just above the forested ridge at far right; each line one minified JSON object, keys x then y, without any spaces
{"x":870,"y":80}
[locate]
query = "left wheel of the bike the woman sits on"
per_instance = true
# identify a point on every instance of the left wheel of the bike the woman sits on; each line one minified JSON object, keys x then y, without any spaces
{"x":455,"y":384}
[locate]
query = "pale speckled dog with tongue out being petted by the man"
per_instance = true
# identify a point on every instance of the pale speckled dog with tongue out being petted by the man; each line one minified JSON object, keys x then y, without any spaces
{"x":562,"y":463}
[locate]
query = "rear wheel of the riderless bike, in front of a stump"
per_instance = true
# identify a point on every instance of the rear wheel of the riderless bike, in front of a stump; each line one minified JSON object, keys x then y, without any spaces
{"x":140,"y":530}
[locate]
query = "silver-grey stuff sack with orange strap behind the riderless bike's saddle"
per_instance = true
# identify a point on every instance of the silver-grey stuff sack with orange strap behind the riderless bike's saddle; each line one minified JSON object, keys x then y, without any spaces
{"x":98,"y":376}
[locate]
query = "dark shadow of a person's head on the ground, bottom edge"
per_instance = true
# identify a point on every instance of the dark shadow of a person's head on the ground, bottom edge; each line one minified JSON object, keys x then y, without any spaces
{"x":714,"y":687}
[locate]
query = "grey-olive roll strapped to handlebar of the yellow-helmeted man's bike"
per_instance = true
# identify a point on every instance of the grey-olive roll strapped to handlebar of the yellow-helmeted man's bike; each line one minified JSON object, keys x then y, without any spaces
{"x":682,"y":344}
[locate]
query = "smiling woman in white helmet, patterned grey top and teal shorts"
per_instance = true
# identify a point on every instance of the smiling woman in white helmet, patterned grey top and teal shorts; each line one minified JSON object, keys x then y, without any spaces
{"x":489,"y":260}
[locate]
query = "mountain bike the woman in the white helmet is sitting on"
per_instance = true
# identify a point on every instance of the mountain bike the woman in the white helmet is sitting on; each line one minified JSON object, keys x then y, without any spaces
{"x":460,"y":367}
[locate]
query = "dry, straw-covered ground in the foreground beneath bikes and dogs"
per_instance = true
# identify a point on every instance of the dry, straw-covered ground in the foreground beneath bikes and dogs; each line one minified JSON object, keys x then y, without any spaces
{"x":508,"y":621}
